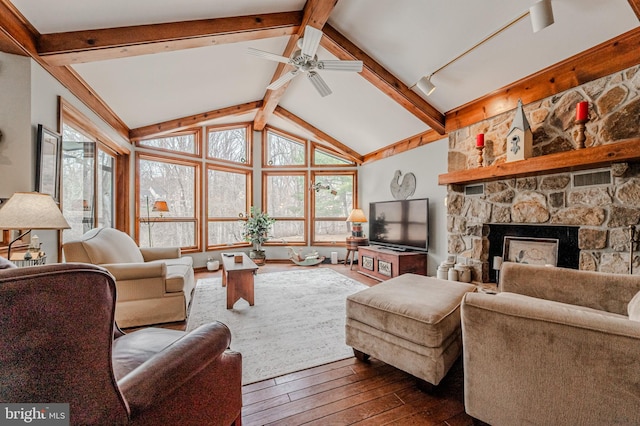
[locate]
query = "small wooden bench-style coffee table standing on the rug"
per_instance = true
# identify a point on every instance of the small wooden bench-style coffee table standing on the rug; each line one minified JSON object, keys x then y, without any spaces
{"x":238,"y":278}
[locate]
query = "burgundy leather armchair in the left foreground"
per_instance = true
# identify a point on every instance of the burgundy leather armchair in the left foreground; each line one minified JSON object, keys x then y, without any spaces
{"x":59,"y":344}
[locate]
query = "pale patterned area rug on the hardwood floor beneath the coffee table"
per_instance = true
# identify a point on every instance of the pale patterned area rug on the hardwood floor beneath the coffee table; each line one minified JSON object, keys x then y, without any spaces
{"x":297,"y":320}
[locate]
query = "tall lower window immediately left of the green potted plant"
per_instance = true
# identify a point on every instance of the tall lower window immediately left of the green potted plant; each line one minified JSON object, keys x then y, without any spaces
{"x":227,"y":198}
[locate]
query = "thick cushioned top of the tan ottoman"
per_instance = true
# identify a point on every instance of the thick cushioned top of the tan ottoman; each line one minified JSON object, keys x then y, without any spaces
{"x":423,"y":310}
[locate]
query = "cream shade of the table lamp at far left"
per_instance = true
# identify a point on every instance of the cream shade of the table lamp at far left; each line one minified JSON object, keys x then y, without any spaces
{"x":31,"y":210}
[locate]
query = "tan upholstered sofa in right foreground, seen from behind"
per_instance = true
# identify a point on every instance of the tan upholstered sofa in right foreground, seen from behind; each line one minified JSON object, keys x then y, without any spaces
{"x":555,"y":347}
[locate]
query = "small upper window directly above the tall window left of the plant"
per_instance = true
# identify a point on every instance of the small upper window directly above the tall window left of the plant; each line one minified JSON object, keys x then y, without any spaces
{"x":229,"y":143}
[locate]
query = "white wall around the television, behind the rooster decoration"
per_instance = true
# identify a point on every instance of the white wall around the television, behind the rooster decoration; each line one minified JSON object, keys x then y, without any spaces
{"x":426,"y":163}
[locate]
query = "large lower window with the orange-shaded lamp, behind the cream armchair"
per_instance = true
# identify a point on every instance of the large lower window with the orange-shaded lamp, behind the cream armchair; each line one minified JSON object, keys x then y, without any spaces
{"x":176,"y":183}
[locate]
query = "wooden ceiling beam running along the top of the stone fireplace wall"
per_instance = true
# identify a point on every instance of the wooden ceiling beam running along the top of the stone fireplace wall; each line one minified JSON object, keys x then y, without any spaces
{"x":607,"y":58}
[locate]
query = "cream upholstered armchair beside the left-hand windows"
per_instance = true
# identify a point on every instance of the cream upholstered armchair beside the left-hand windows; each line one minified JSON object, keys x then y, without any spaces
{"x":154,"y":284}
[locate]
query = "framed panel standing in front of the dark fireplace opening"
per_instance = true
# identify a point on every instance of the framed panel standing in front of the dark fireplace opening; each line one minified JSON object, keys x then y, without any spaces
{"x":534,"y":251}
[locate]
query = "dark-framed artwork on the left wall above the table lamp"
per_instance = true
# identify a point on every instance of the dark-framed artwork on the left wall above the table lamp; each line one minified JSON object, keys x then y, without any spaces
{"x":49,"y":158}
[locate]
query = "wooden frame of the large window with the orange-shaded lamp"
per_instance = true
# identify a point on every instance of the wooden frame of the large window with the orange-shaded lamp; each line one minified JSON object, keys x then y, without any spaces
{"x":196,"y":219}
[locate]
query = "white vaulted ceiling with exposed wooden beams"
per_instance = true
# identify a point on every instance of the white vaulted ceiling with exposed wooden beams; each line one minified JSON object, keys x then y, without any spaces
{"x":153,"y":66}
